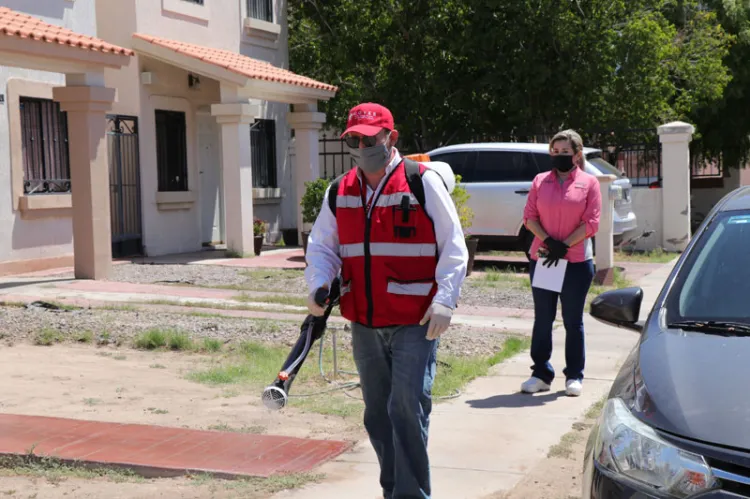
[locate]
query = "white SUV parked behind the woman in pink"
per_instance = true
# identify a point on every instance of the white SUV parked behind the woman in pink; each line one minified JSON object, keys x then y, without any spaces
{"x":498,"y":177}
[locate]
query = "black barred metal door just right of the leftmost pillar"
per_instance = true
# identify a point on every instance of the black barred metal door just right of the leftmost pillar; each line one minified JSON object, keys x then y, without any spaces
{"x":125,"y":186}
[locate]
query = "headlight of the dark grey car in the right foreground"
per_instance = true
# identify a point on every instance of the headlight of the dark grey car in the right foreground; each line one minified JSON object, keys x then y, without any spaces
{"x":629,"y":448}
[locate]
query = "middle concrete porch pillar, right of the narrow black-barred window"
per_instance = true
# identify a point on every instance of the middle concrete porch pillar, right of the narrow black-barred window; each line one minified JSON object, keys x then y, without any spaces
{"x":237,"y":173}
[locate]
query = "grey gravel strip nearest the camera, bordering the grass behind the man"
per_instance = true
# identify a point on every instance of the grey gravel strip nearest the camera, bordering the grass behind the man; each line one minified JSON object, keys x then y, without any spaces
{"x":120,"y":327}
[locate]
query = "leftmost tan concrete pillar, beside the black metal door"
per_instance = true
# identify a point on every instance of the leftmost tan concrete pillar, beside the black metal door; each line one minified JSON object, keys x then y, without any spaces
{"x":86,"y":102}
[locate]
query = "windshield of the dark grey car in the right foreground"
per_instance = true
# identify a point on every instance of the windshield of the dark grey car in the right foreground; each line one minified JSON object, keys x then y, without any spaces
{"x":714,"y":282}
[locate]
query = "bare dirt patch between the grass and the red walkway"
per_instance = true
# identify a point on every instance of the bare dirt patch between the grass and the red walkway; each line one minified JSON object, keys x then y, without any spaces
{"x":86,"y":382}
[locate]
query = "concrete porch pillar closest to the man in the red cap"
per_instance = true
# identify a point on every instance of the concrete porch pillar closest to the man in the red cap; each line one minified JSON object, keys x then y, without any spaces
{"x":306,"y":122}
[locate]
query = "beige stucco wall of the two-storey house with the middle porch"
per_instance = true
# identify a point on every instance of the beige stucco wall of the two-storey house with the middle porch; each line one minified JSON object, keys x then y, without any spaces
{"x":216,"y":24}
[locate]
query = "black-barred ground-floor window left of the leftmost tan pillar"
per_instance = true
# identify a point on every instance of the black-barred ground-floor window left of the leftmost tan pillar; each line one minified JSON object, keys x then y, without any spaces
{"x":44,"y":136}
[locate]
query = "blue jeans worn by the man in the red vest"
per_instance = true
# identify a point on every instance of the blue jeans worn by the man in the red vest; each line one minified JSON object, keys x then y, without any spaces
{"x":396,"y":368}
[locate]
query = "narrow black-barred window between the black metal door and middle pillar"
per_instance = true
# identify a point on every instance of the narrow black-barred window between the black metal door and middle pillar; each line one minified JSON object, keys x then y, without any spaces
{"x":171,"y":151}
